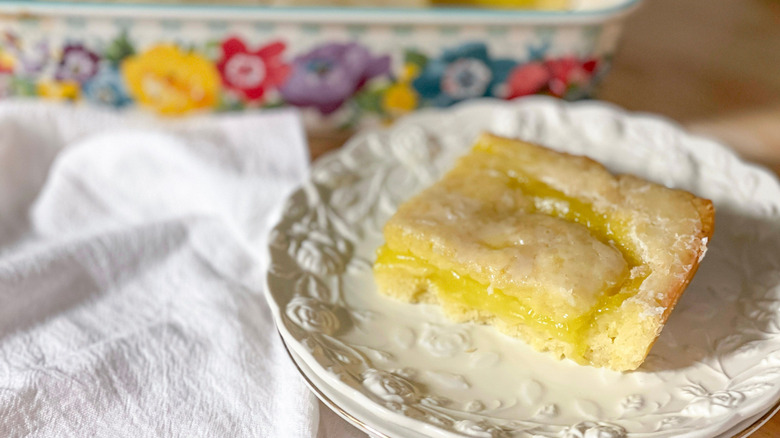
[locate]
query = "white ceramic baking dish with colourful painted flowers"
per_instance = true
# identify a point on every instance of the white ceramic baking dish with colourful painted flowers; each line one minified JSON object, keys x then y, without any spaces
{"x":342,"y":66}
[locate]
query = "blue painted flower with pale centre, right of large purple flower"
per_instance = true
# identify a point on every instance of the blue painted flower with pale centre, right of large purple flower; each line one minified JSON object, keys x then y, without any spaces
{"x":461,"y":73}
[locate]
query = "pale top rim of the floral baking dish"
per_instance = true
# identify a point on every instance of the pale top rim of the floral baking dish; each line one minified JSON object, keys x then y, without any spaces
{"x":31,"y":9}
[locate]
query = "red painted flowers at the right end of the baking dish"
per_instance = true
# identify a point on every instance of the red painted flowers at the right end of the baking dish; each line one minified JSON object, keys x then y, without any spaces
{"x":553,"y":76}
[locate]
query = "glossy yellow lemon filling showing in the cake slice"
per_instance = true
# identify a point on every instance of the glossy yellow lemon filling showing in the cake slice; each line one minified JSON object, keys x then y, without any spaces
{"x":462,"y":290}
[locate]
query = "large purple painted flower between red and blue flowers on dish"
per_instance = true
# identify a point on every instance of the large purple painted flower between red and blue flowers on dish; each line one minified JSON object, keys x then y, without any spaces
{"x":330,"y":74}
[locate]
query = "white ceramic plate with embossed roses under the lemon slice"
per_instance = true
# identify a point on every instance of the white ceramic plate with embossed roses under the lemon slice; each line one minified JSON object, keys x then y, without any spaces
{"x":715,"y":367}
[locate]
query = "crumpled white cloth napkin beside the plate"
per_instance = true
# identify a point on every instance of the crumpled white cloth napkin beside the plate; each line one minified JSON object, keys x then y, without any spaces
{"x":131,"y":276}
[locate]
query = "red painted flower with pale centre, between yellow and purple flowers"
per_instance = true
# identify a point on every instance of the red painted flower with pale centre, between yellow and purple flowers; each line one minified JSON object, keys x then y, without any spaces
{"x":252,"y":73}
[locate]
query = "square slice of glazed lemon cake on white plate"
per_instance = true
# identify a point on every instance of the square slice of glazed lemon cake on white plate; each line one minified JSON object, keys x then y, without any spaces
{"x":548,"y":247}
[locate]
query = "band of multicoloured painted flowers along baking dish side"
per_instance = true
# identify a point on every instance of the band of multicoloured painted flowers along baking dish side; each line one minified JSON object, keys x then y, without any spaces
{"x":232,"y":74}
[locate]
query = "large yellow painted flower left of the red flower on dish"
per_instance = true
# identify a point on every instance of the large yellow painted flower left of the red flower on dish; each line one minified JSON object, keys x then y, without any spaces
{"x":170,"y":80}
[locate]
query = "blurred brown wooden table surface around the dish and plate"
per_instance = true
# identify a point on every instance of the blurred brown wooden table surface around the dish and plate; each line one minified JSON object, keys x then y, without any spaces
{"x":711,"y":65}
